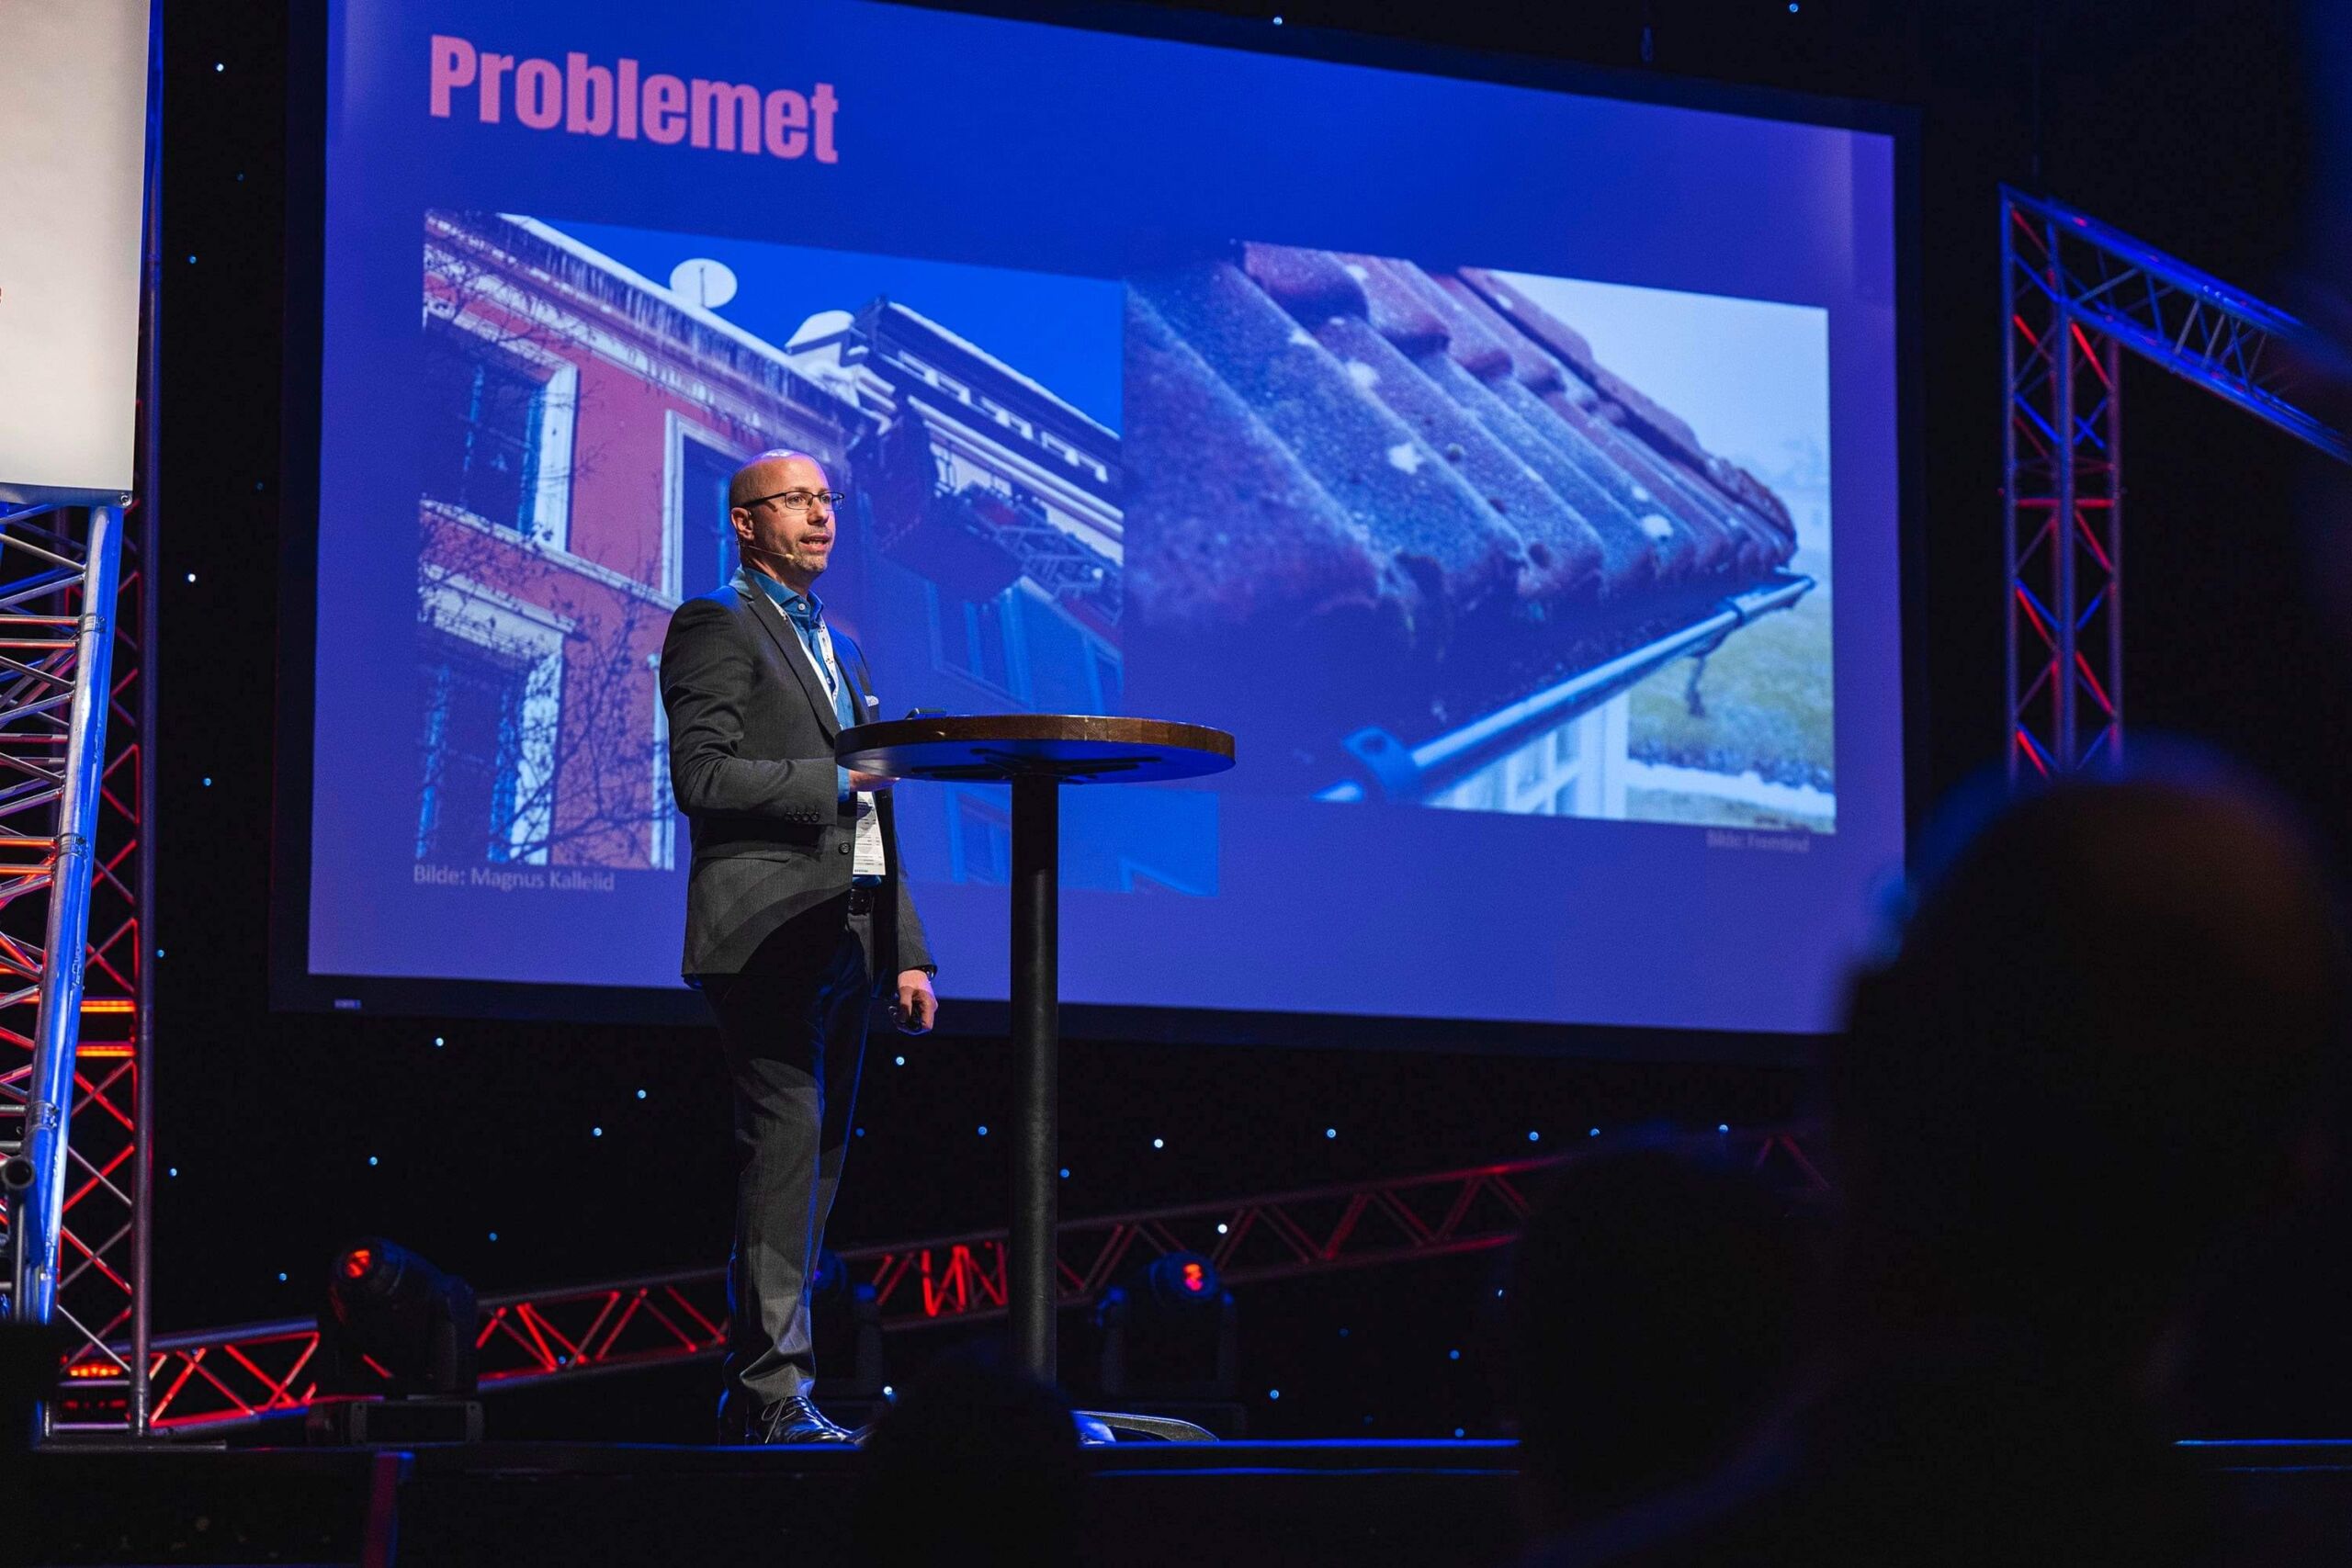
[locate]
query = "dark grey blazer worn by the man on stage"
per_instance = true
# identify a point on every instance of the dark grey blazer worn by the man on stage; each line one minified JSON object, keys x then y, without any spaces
{"x":751,"y":765}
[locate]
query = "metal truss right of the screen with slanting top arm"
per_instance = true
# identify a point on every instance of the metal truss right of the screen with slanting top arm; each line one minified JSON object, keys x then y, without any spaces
{"x":2078,"y":293}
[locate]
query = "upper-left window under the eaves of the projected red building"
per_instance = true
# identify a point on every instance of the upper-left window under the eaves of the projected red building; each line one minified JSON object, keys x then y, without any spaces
{"x":486,"y":420}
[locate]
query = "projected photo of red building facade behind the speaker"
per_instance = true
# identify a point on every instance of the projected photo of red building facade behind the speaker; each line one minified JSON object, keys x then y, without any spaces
{"x":580,"y":429}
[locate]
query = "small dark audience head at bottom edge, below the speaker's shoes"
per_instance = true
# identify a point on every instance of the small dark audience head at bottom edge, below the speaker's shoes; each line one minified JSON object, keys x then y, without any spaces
{"x":975,"y":1466}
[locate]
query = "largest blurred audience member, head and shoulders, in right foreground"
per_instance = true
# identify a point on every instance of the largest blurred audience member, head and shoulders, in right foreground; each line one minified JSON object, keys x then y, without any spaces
{"x":2097,"y":1066}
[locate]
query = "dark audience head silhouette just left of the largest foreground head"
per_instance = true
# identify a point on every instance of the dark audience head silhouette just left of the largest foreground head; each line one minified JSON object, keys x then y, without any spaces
{"x":1652,"y":1311}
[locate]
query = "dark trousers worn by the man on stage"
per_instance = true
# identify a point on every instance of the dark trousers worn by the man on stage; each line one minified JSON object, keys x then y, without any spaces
{"x":794,"y":1024}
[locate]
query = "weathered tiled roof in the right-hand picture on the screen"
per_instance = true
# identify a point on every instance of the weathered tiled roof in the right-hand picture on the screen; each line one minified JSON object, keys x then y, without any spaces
{"x":1356,"y":464}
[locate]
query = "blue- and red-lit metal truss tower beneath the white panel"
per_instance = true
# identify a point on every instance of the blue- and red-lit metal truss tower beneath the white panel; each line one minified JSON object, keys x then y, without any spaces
{"x":74,"y":728}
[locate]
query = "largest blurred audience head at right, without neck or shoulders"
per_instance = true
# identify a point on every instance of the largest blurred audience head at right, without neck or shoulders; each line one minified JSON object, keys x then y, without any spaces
{"x":2094,"y":1064}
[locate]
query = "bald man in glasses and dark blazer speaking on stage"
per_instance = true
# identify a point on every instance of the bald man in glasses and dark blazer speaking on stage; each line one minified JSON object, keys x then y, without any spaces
{"x":799,"y":913}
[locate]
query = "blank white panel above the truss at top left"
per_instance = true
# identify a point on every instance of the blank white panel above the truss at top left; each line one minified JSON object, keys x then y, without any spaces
{"x":72,"y":201}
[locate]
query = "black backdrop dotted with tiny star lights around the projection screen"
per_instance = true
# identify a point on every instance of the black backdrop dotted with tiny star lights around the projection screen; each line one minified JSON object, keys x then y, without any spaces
{"x":281,"y":1137}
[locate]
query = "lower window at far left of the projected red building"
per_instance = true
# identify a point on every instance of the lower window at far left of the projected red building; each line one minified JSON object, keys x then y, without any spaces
{"x":472,"y":749}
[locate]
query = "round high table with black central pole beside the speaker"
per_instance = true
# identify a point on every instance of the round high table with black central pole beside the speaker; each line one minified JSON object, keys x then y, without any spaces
{"x":1036,"y":753}
